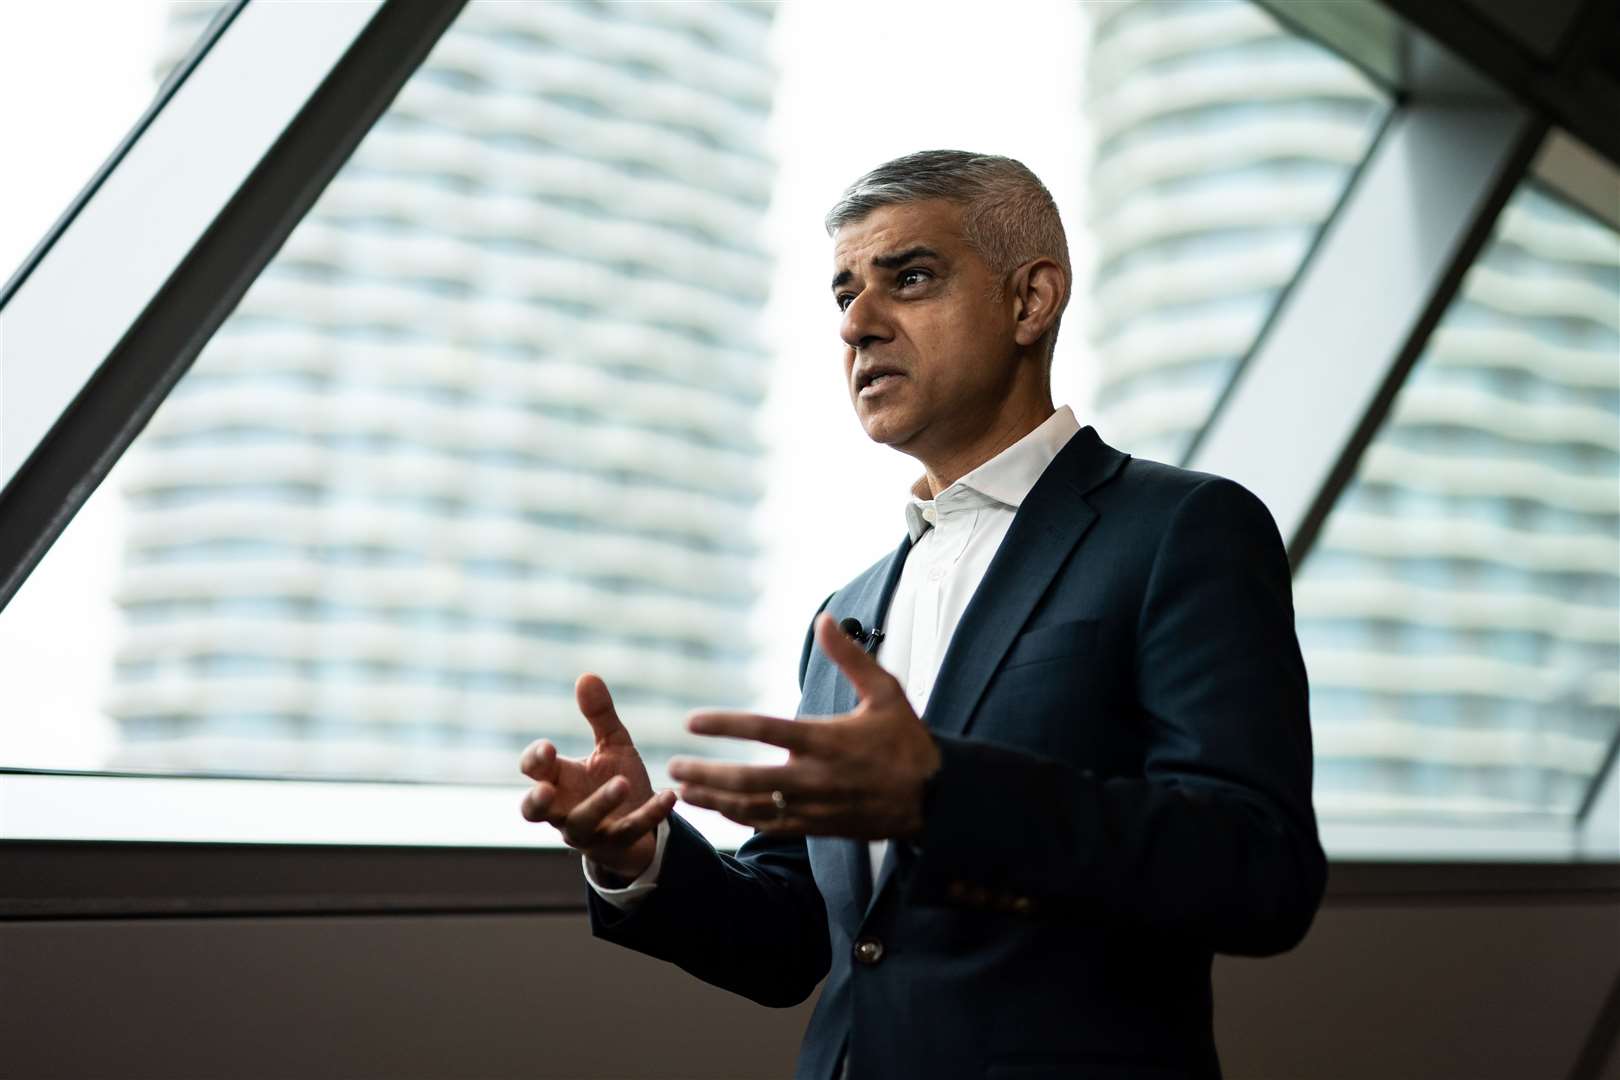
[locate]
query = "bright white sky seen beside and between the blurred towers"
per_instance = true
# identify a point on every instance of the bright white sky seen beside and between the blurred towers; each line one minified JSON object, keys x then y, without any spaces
{"x":859,"y":83}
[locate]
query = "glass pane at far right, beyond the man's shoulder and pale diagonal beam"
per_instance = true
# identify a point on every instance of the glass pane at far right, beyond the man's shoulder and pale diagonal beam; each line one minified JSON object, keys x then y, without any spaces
{"x":1462,"y":608}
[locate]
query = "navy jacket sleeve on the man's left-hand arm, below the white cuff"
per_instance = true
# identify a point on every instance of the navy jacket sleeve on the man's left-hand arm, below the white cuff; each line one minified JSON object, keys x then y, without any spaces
{"x":752,"y":924}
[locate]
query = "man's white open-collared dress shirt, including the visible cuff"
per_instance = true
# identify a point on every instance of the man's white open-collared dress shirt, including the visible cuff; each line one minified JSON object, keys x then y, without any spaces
{"x":955,"y":537}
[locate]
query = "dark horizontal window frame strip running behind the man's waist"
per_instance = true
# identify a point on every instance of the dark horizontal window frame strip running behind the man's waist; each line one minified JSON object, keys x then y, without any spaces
{"x":51,"y":880}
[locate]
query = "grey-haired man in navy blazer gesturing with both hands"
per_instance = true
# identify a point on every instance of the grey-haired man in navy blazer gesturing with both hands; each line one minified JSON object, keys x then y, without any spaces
{"x":1078,"y":763}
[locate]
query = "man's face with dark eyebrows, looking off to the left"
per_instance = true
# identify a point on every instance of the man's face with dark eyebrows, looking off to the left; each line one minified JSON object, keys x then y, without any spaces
{"x":929,"y":347}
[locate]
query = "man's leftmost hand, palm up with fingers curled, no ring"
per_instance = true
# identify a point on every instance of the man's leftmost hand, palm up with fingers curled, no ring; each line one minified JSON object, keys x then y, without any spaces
{"x":603,"y":806}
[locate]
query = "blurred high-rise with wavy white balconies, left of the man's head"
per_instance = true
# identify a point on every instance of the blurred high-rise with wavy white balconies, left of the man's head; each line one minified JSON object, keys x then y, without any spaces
{"x":484,"y":423}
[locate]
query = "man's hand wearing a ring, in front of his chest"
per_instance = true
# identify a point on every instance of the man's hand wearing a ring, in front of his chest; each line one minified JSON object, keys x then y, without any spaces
{"x":856,"y":776}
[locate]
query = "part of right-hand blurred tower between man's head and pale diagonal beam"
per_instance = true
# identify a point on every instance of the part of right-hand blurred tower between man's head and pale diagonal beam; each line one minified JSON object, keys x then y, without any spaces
{"x":1222,"y":145}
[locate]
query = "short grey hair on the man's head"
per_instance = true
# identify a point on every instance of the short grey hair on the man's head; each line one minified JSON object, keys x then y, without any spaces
{"x":1008,"y":216}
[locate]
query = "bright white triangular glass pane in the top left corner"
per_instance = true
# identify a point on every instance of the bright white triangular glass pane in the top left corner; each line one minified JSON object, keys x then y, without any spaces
{"x":96,"y":85}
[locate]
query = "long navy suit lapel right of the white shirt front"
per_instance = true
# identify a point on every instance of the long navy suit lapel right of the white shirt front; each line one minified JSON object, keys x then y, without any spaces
{"x":1047,"y":529}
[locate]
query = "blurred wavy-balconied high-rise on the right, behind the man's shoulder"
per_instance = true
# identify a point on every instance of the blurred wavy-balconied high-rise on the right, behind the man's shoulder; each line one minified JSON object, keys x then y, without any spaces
{"x":1460,"y":613}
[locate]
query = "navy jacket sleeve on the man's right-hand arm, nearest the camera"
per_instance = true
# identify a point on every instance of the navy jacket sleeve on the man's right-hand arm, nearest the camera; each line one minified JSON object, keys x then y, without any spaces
{"x":1216,"y":841}
